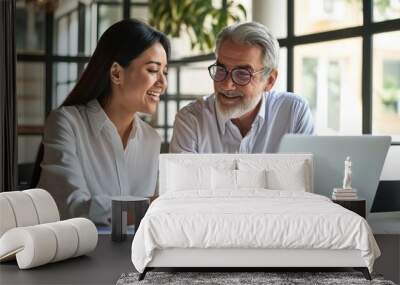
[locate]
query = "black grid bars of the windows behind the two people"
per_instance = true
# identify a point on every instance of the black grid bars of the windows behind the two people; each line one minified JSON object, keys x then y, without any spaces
{"x":365,"y":31}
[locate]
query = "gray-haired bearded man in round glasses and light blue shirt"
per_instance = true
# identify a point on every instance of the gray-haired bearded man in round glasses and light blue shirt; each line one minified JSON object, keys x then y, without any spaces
{"x":243,"y":115}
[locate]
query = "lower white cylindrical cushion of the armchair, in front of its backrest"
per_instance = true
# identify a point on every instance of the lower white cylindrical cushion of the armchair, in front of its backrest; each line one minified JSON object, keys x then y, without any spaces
{"x":40,"y":244}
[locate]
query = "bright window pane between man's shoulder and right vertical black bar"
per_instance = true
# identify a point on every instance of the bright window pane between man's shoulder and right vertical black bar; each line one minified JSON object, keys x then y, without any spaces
{"x":328,"y":75}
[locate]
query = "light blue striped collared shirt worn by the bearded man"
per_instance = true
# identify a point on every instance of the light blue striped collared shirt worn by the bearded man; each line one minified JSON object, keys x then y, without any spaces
{"x":199,"y":129}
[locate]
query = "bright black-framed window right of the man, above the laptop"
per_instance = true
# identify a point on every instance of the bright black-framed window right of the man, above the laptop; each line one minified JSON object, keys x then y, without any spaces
{"x":343,"y":57}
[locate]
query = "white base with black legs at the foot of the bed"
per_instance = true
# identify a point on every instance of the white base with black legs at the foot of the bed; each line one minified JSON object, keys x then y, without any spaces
{"x":250,"y":259}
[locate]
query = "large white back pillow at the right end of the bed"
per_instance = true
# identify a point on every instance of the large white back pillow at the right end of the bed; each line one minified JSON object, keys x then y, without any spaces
{"x":292,"y":178}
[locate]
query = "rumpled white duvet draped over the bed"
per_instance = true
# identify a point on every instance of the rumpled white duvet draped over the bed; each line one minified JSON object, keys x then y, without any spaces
{"x":251,"y":218}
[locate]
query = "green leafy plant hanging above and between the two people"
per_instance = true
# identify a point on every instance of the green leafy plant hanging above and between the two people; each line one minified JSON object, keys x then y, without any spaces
{"x":199,"y":19}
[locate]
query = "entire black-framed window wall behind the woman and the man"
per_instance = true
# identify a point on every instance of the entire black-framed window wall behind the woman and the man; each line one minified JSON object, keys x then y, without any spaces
{"x":343,"y":56}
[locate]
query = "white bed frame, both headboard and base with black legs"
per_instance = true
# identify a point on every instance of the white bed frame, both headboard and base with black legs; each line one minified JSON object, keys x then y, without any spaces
{"x":240,"y":259}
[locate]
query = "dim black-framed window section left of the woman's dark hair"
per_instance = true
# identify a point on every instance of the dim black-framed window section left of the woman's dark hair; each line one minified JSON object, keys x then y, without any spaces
{"x":53,"y":47}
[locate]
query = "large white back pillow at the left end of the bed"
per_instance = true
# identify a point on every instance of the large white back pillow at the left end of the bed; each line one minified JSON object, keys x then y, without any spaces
{"x":182,"y":177}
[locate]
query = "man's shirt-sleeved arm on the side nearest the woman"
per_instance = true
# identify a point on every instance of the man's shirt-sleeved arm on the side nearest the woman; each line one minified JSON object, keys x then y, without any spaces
{"x":184,"y":138}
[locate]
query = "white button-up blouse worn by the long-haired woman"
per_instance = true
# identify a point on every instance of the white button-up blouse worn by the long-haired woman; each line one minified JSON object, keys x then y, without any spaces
{"x":85,"y":163}
